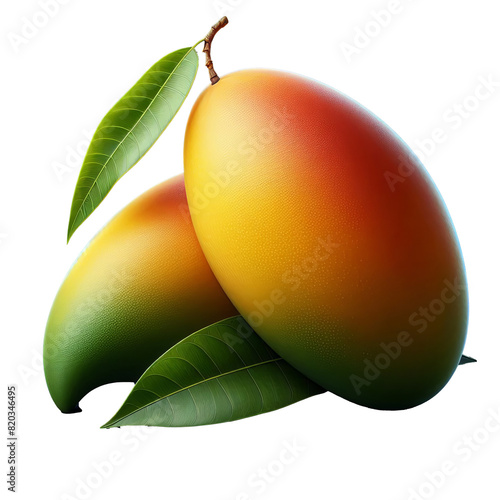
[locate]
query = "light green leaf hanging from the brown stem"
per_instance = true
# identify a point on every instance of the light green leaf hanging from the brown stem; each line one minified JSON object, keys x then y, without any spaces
{"x":130,"y":128}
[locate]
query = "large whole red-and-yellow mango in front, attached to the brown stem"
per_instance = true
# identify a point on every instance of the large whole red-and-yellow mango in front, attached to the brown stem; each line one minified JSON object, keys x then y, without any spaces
{"x":293,"y":195}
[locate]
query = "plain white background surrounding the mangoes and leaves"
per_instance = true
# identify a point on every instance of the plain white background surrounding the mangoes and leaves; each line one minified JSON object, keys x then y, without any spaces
{"x":61,"y":82}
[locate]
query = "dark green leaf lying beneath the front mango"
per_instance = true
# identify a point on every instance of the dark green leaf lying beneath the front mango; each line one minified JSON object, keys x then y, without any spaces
{"x":221,"y":373}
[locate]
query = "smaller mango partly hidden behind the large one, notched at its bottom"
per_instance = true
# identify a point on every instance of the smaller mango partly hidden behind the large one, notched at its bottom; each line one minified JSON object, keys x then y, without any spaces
{"x":140,"y":286}
